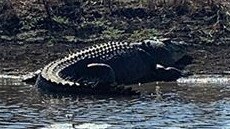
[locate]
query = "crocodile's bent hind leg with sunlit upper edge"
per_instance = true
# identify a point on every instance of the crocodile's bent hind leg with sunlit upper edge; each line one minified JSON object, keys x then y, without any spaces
{"x":99,"y":73}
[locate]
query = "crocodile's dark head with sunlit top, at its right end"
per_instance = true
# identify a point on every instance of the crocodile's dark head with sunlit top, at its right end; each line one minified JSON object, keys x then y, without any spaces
{"x":166,"y":53}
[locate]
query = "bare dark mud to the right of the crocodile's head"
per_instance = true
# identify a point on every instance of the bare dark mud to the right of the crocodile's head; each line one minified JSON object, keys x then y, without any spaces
{"x":213,"y":59}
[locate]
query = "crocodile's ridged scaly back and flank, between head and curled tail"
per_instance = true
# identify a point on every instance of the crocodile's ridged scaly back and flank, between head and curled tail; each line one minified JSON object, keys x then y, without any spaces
{"x":116,"y":54}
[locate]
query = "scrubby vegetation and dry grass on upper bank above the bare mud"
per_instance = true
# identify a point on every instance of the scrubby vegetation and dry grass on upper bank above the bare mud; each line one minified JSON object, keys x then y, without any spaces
{"x":74,"y":21}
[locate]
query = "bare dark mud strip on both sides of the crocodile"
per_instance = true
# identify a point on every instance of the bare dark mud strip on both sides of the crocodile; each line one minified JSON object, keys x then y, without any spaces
{"x":207,"y":59}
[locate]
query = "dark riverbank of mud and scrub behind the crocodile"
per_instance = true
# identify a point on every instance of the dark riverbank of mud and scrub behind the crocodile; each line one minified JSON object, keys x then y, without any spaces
{"x":30,"y":38}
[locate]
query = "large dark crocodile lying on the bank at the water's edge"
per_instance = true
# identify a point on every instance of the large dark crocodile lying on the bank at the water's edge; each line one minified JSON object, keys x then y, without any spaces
{"x":101,"y":66}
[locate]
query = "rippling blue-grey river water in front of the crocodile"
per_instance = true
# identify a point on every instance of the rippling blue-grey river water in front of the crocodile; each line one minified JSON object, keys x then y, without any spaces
{"x":163,"y":105}
